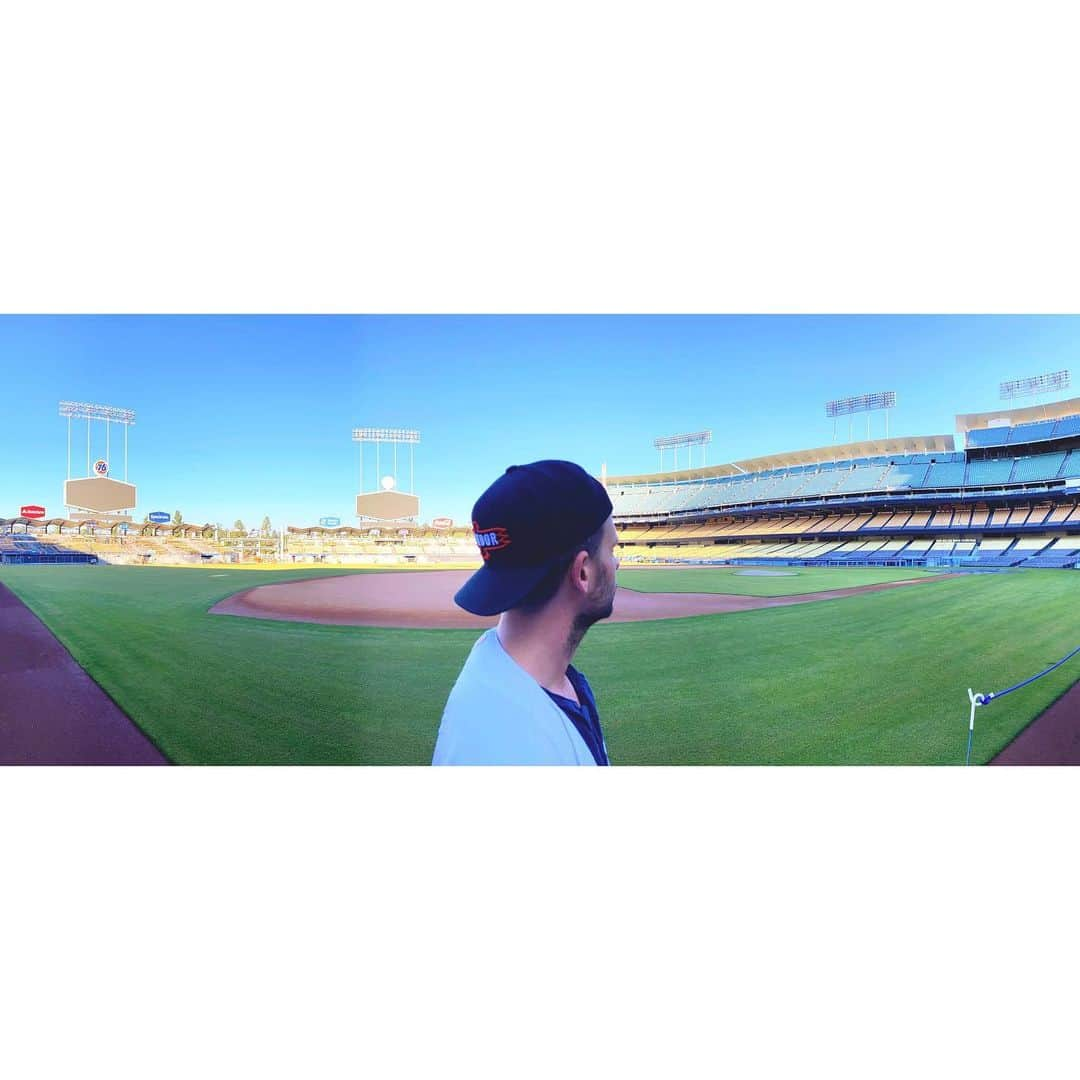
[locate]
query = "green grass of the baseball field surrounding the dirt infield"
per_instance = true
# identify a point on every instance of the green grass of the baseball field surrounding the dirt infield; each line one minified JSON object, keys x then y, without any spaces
{"x":880,"y":679}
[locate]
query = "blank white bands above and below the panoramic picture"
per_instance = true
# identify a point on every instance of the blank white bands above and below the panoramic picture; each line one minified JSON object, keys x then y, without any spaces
{"x":586,"y":157}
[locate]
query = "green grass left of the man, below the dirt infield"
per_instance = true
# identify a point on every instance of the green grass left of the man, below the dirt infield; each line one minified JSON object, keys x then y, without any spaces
{"x":219,"y":690}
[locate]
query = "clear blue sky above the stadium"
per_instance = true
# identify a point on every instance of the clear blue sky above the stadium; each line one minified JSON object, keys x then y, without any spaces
{"x":246,"y":416}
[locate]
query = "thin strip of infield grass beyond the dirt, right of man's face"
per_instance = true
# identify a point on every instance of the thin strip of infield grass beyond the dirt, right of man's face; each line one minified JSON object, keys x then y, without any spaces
{"x":736,"y":580}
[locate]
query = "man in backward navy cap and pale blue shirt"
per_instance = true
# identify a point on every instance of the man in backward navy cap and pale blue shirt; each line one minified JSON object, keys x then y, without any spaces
{"x":548,"y":541}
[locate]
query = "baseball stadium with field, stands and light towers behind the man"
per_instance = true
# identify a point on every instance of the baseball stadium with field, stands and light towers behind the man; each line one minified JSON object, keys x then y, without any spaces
{"x":870,"y":602}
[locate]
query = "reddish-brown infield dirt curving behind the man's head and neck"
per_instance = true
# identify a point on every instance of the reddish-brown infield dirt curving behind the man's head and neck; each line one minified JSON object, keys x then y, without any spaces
{"x":426,"y":601}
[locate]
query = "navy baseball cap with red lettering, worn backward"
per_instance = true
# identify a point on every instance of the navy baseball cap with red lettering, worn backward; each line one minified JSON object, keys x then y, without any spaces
{"x":525,"y":523}
